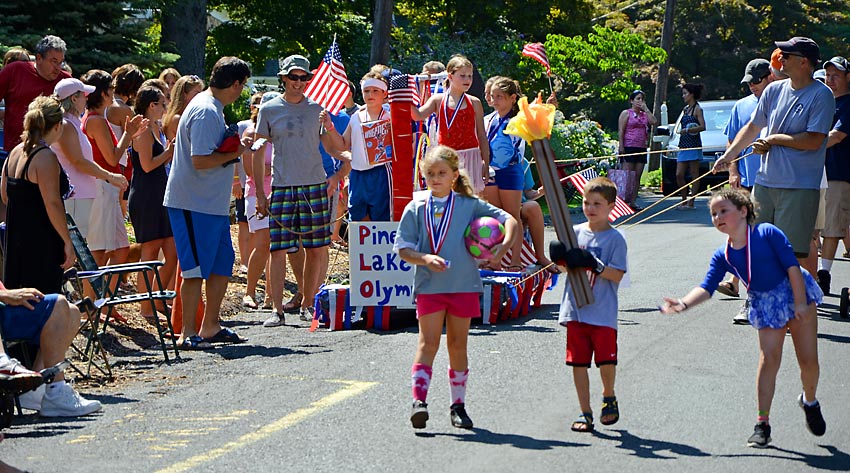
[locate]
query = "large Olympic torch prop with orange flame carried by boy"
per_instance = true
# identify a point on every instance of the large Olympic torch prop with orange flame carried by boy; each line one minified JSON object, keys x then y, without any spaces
{"x":534,"y":124}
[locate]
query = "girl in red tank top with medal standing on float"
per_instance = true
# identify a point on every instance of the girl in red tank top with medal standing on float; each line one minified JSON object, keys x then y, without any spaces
{"x":461,"y":122}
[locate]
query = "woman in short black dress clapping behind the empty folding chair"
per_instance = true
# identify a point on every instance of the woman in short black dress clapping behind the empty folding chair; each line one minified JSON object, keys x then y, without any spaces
{"x":149,"y":154}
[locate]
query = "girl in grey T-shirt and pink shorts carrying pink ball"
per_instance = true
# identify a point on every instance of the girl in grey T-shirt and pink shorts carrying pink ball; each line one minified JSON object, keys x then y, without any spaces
{"x":446,"y":280}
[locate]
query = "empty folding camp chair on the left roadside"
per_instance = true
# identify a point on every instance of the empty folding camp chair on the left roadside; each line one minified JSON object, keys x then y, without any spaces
{"x":105,"y":282}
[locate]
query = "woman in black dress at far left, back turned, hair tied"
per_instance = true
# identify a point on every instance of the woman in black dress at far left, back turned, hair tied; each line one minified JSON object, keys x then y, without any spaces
{"x":38,"y":246}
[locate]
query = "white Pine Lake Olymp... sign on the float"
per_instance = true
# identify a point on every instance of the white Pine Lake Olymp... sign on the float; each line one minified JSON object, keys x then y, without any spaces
{"x":379,"y":277}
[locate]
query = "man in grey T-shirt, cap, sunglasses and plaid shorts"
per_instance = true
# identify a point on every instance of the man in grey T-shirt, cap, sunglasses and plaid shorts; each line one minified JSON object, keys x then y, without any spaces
{"x":299,"y":206}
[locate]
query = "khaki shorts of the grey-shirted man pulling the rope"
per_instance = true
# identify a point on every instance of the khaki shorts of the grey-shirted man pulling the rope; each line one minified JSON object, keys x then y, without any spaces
{"x":794,"y":211}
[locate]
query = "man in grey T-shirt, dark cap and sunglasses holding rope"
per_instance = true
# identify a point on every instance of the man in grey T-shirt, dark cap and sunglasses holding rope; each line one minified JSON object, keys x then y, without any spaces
{"x":797,"y":114}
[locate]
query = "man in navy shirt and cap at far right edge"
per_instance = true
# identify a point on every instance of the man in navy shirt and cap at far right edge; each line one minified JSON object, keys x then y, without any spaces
{"x":837,"y":168}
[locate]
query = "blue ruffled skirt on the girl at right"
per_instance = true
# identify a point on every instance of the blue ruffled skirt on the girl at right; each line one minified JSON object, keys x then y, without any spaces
{"x":775,"y":307}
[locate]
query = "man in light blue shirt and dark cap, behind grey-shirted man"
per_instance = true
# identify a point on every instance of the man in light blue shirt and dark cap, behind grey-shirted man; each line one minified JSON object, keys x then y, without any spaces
{"x":757,"y":75}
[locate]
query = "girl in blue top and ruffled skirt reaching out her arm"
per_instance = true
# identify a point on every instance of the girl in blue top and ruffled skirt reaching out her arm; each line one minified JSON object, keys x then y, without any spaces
{"x":783,"y":297}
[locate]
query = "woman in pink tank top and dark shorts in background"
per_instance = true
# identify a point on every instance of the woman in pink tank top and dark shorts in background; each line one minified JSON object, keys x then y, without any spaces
{"x":634,"y":126}
